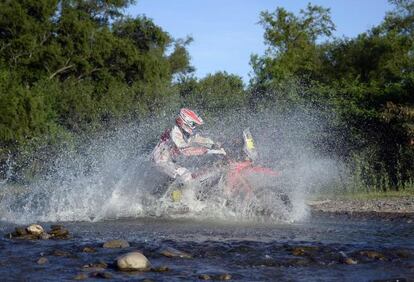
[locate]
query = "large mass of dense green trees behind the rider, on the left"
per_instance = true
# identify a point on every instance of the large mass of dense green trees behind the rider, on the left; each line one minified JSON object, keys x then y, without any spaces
{"x":70,"y":67}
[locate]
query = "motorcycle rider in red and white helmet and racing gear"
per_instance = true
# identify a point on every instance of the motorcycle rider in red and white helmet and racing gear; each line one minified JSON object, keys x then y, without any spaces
{"x":180,"y":140}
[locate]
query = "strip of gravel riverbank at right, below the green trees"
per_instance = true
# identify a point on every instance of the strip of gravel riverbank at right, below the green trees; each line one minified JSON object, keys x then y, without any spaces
{"x":365,"y":206}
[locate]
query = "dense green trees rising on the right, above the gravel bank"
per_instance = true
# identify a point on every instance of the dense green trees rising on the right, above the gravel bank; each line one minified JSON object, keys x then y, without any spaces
{"x":362,"y":85}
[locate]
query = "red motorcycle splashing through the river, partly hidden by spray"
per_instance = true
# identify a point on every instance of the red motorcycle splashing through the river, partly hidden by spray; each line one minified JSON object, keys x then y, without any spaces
{"x":237,"y":185}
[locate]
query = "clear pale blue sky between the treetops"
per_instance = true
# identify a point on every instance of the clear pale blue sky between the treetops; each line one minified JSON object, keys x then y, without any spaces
{"x":226,"y":32}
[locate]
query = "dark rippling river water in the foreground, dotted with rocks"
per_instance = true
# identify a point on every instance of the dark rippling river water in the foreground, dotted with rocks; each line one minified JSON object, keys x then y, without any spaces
{"x":313,"y":249}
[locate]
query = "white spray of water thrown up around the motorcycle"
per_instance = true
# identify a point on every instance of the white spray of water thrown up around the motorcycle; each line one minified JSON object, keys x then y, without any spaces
{"x":111,"y":176}
